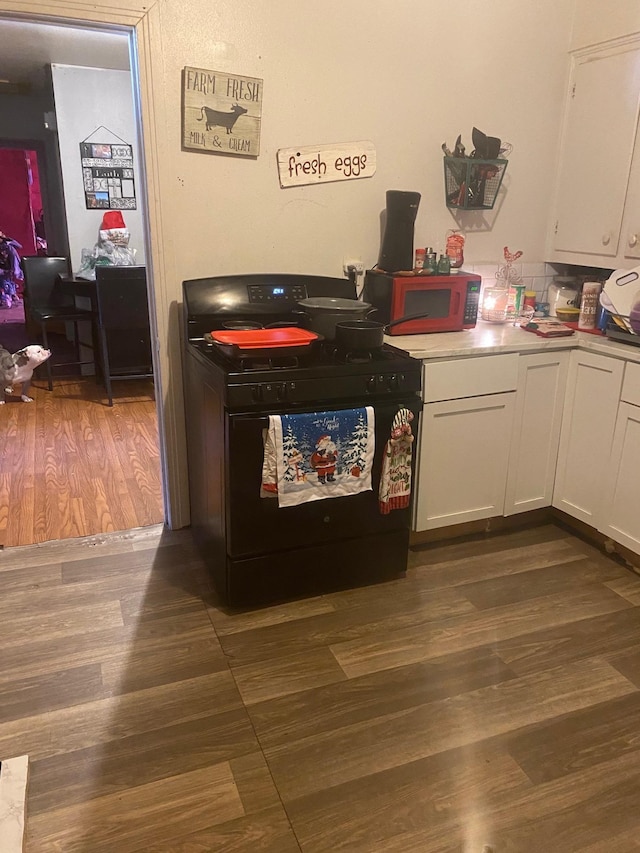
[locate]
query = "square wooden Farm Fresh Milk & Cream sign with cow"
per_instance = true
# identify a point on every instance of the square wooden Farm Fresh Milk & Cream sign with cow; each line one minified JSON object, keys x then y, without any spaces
{"x":221,"y":112}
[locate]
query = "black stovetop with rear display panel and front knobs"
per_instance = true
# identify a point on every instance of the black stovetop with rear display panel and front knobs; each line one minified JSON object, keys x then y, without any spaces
{"x":318,"y":374}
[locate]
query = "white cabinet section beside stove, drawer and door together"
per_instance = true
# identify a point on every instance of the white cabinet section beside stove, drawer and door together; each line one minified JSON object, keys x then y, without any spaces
{"x":464,"y":443}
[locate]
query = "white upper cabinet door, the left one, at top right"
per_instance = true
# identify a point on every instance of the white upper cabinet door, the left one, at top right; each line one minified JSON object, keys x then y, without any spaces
{"x":601,"y":120}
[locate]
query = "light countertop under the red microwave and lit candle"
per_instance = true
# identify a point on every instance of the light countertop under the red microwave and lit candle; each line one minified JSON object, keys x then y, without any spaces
{"x":489,"y":338}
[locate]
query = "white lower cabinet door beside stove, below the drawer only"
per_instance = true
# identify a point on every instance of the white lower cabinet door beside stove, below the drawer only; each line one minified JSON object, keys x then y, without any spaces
{"x":462,"y":462}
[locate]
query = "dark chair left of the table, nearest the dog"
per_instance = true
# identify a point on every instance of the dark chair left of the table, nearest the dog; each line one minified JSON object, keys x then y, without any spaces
{"x":47,"y":306}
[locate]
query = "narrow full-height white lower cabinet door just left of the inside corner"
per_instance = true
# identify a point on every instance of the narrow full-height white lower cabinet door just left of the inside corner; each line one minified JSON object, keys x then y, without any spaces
{"x":539,"y":406}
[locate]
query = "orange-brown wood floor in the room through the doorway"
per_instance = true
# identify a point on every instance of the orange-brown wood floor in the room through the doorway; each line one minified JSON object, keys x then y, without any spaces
{"x":71,"y":466}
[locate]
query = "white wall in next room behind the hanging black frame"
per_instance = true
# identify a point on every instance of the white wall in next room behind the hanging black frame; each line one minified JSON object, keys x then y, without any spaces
{"x":85,"y":99}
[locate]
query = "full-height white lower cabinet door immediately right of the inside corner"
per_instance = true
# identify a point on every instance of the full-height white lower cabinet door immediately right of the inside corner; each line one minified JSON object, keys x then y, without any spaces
{"x":593,"y":391}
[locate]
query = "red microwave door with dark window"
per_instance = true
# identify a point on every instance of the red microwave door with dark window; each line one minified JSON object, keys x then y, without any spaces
{"x":440,"y":300}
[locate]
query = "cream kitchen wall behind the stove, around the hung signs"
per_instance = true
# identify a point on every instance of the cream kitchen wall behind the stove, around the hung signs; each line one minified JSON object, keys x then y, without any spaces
{"x":406,"y":74}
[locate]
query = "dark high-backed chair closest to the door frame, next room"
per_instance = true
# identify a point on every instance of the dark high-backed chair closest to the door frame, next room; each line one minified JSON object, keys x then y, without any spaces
{"x":123,"y":333}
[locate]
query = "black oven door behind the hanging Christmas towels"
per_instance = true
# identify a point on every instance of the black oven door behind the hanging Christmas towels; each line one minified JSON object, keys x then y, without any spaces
{"x":256,"y":525}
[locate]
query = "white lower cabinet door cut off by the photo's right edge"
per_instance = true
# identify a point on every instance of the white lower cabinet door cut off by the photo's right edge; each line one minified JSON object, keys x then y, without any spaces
{"x":621,"y":505}
